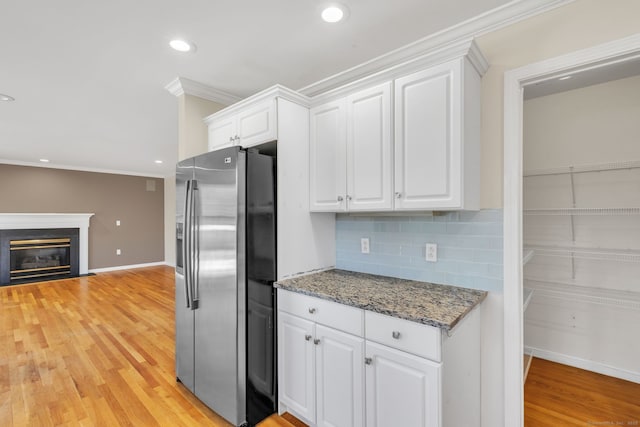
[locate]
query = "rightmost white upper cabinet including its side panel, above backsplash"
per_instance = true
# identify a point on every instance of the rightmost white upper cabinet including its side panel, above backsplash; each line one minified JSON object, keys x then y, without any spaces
{"x":437,"y":131}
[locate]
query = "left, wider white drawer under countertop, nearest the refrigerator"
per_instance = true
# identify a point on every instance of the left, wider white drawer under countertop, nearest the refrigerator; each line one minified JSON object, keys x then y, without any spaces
{"x":329,"y":313}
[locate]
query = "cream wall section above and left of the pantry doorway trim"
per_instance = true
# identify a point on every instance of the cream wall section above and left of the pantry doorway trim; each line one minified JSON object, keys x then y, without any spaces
{"x":578,"y":25}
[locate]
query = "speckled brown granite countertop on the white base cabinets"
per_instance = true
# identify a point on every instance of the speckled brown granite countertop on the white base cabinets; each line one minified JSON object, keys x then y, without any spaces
{"x":442,"y":306}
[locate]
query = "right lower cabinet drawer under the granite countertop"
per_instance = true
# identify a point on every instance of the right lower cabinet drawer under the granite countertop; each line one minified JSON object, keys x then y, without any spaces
{"x":421,"y":340}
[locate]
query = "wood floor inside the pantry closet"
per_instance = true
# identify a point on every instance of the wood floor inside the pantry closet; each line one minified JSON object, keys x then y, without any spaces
{"x":560,"y":395}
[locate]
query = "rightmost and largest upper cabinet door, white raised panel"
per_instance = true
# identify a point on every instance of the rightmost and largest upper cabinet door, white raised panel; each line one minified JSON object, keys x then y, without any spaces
{"x":428,"y":156}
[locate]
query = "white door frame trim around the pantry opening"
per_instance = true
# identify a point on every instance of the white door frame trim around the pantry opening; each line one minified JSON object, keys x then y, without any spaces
{"x":514,"y":82}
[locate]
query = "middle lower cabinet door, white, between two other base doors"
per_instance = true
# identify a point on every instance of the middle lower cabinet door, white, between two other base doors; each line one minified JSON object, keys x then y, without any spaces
{"x":339,"y":378}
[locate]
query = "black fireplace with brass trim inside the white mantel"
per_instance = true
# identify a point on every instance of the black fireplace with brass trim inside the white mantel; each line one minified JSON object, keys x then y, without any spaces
{"x":38,"y":254}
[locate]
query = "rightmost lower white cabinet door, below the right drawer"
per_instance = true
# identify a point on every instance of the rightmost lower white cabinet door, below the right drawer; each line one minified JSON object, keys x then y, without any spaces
{"x":401,"y":389}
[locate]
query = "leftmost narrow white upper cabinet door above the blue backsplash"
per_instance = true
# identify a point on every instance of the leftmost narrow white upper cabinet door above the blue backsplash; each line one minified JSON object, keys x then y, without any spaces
{"x":328,"y":158}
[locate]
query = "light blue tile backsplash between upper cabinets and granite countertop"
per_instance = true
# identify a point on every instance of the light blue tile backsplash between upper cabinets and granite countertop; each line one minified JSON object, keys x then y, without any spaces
{"x":469,"y":247}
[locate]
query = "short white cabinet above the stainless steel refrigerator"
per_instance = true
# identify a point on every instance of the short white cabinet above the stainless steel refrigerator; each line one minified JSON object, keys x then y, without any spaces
{"x":254,"y":125}
